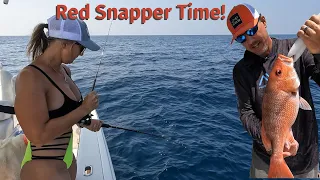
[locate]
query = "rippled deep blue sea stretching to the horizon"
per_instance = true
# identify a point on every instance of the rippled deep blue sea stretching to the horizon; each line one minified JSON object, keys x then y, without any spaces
{"x":177,"y":86}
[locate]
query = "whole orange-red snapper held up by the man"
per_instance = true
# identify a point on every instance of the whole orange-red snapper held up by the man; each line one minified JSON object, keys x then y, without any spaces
{"x":280,"y":107}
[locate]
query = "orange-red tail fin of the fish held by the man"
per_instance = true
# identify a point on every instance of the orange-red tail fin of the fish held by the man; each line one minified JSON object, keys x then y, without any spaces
{"x":278,"y":167}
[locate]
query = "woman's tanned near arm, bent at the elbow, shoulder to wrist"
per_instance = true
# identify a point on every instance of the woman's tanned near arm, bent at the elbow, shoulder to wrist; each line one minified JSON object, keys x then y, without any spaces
{"x":32,"y":112}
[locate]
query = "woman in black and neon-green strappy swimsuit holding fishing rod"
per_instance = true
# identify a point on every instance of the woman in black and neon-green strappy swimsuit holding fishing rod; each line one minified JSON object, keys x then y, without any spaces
{"x":48,"y":103}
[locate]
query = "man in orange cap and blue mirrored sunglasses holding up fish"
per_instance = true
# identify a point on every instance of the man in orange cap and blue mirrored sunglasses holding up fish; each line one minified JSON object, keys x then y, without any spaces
{"x":250,"y":76}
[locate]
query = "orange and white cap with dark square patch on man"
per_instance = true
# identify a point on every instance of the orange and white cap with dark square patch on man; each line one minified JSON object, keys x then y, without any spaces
{"x":241,"y":18}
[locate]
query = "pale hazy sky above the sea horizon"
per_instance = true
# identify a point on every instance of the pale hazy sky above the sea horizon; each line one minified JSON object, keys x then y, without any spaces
{"x":19,"y":17}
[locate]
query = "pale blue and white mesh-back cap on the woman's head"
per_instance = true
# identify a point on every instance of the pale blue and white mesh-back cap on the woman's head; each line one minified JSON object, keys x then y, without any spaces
{"x":69,"y":29}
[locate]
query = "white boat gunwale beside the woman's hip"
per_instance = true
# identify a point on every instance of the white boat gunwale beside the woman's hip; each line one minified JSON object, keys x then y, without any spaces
{"x":92,"y":153}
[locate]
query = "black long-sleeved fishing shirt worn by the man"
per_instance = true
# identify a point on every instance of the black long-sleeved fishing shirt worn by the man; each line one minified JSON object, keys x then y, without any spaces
{"x":250,"y":77}
